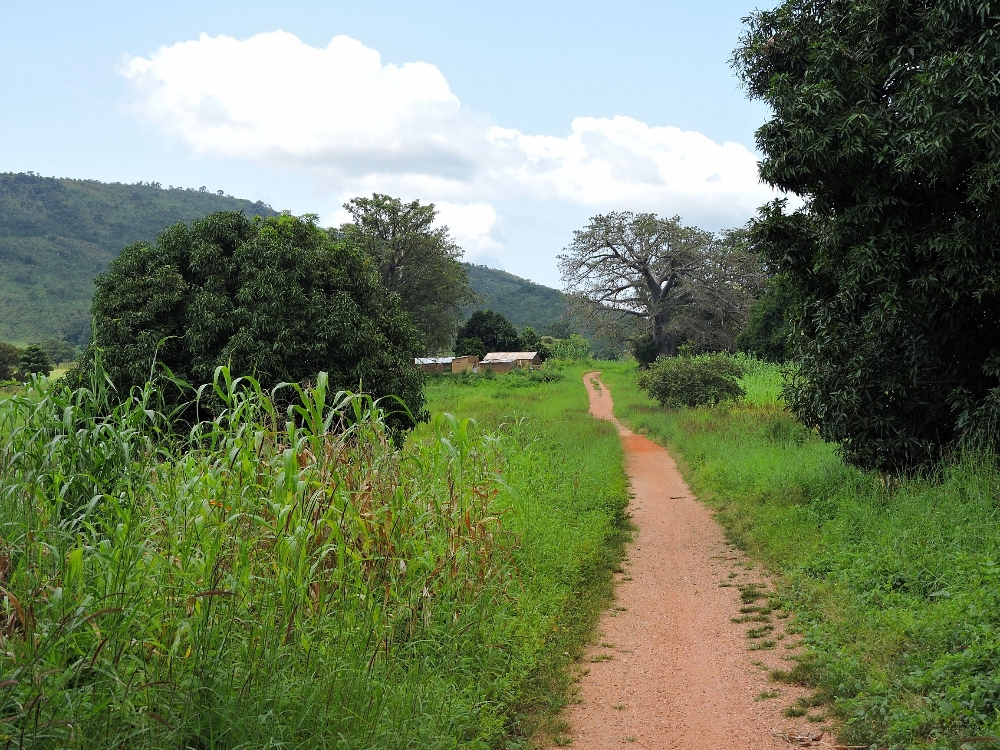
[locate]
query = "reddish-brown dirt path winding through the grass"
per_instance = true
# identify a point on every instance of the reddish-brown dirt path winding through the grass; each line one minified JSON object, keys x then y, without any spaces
{"x":668,"y":668}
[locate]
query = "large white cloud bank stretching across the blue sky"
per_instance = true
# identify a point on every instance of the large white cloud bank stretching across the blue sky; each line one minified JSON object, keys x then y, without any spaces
{"x":357,"y":125}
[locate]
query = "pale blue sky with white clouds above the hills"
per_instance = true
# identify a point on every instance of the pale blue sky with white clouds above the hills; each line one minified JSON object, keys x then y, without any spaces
{"x":518,"y":120}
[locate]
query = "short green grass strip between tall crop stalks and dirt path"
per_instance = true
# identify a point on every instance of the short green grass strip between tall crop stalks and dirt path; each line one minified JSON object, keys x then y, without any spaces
{"x":571,"y":480}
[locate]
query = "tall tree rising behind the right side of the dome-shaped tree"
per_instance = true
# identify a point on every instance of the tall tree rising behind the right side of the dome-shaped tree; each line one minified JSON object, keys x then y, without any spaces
{"x":415,"y":259}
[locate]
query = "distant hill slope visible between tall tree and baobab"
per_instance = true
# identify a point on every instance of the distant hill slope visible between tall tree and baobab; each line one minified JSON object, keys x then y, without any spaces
{"x":522,"y":302}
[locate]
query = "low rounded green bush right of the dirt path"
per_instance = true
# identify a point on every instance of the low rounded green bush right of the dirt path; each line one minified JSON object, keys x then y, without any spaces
{"x":693,"y":381}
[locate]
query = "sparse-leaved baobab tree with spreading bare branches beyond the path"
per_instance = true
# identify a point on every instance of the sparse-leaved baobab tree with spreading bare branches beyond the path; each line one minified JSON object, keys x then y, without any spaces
{"x":677,"y":283}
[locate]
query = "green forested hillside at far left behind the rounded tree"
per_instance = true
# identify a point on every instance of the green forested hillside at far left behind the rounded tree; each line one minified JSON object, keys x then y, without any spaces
{"x":56,"y":235}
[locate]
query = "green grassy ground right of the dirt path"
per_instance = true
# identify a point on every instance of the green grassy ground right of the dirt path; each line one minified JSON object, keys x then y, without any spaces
{"x":896,"y":584}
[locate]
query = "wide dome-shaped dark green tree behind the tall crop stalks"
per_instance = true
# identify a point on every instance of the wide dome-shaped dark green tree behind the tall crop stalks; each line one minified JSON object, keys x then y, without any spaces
{"x":275,"y":298}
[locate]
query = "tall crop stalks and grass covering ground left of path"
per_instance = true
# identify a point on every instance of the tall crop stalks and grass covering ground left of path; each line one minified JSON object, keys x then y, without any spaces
{"x":273,"y":580}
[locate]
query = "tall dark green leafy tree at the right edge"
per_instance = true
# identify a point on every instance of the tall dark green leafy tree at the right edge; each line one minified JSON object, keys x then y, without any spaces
{"x":885,"y":122}
